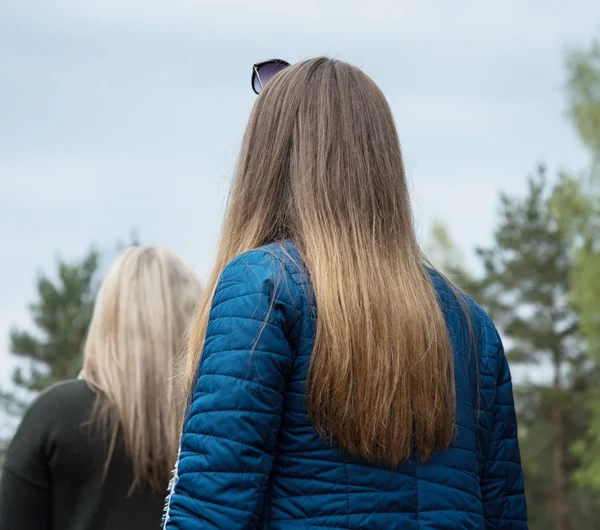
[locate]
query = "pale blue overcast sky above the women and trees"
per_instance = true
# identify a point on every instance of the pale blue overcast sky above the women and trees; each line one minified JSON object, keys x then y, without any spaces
{"x":128,"y":114}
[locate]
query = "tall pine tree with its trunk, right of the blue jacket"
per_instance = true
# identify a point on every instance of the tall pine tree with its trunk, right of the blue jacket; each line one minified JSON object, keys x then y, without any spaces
{"x":527,"y":289}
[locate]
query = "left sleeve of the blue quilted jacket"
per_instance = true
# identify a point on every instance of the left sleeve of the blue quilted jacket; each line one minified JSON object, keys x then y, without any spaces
{"x":230,"y":433}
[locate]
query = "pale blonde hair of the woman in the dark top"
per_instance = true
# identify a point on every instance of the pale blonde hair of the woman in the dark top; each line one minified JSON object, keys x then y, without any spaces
{"x":130,"y":357}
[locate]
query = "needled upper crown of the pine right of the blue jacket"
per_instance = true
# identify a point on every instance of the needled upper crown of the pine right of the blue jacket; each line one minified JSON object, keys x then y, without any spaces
{"x":527,"y":277}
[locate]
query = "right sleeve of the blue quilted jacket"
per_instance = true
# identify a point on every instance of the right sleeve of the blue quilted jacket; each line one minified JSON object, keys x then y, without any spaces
{"x":502,"y":485}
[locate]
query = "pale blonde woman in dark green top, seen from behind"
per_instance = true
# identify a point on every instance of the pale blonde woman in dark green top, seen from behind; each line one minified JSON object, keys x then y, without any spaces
{"x":96,"y":453}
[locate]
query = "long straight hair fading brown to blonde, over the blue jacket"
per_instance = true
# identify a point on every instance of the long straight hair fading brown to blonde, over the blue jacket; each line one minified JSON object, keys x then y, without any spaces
{"x":321,"y":165}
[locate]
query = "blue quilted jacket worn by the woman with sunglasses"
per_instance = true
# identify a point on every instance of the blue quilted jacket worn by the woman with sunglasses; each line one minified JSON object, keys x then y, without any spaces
{"x":250,"y":458}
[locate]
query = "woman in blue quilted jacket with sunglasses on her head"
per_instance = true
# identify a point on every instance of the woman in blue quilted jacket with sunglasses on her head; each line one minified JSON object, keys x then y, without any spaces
{"x":336,"y":379}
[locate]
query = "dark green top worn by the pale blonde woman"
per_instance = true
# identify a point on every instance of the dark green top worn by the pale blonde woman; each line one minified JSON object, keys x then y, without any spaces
{"x":52,"y":474}
